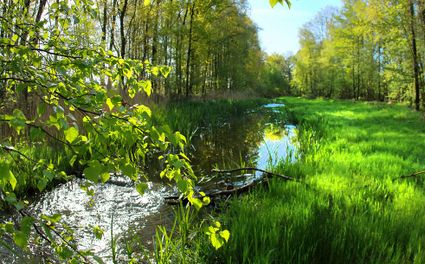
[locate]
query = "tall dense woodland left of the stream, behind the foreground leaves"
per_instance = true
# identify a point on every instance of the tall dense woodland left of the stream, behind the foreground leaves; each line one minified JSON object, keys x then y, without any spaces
{"x":210,"y":46}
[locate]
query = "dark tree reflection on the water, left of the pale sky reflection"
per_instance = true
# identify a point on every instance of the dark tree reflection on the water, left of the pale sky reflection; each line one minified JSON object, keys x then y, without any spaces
{"x":230,"y":143}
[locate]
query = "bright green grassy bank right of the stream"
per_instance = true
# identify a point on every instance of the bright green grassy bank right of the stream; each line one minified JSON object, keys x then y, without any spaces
{"x":351,"y":208}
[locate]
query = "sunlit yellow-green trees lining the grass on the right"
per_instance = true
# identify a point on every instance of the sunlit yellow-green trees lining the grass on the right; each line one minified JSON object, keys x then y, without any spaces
{"x":372,"y":50}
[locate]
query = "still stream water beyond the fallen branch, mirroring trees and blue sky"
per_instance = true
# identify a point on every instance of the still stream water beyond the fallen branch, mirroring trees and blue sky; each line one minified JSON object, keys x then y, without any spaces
{"x":258,"y":139}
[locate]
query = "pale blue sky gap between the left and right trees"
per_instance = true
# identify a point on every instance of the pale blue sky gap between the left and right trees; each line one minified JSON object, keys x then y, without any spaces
{"x":279,"y":25}
